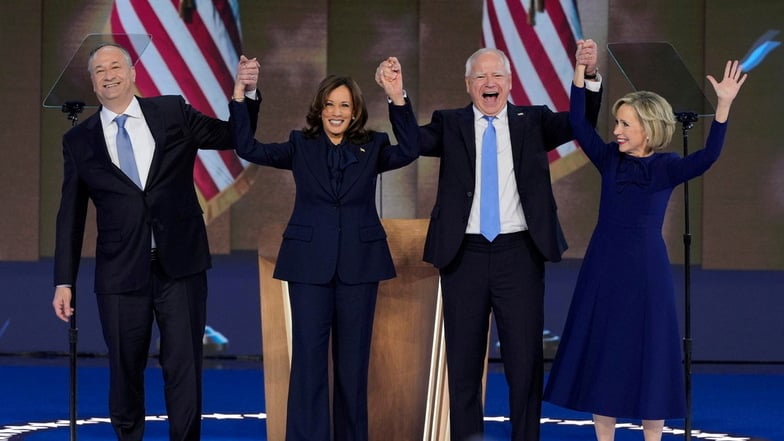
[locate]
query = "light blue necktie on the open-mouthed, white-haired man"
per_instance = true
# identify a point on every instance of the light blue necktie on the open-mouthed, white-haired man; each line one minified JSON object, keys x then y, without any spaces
{"x":489,"y":216}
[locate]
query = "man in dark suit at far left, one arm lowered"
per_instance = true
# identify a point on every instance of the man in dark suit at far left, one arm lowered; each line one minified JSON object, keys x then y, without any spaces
{"x":151,"y":253}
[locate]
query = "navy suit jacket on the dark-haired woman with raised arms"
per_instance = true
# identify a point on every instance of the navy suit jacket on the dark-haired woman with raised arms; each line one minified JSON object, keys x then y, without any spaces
{"x":330,"y":233}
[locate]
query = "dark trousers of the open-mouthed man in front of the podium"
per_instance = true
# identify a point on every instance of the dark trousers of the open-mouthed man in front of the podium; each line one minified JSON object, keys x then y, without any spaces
{"x":505,"y":277}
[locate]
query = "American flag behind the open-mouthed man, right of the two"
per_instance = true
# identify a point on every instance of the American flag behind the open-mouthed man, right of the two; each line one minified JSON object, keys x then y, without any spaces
{"x":539,"y":40}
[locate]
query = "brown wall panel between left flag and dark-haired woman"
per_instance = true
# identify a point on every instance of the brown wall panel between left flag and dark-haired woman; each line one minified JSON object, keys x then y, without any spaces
{"x":290,"y":39}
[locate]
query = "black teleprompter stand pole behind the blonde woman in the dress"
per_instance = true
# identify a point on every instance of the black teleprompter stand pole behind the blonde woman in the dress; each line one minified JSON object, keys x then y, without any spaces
{"x":687,"y":120}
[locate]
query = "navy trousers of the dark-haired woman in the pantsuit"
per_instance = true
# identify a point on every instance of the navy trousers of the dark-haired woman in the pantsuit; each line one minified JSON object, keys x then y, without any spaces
{"x":342,"y":314}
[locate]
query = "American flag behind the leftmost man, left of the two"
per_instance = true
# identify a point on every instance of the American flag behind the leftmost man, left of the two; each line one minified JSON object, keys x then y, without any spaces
{"x":194,"y":52}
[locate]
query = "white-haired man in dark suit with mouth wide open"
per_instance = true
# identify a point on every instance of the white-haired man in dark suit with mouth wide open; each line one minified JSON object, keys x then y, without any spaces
{"x":495,"y":263}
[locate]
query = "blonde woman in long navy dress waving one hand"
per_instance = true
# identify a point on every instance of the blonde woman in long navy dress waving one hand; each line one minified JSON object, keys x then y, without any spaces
{"x":619,"y":356}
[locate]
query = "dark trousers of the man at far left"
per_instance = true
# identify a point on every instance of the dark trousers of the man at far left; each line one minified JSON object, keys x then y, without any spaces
{"x":179,"y":308}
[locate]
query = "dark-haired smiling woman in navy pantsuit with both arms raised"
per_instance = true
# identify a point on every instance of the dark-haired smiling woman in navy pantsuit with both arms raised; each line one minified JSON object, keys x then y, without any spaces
{"x":334,"y":250}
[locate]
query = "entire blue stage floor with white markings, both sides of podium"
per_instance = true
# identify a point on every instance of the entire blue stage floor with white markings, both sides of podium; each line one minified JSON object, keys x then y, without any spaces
{"x":727,"y":407}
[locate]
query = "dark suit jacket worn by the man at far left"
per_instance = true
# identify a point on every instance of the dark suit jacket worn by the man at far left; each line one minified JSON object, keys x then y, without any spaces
{"x":126,"y":215}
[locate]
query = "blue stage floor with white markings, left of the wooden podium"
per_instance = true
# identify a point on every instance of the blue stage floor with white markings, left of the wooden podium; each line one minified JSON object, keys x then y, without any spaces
{"x":233,"y":404}
